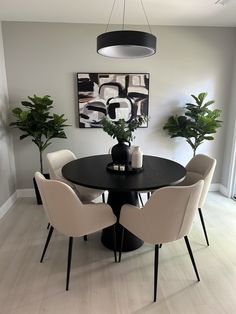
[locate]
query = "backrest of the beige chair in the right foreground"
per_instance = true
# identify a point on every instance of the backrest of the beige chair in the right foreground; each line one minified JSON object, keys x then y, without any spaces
{"x":169,"y":213}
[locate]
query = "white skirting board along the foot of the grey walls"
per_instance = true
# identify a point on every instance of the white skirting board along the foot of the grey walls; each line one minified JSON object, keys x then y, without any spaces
{"x":30,"y":193}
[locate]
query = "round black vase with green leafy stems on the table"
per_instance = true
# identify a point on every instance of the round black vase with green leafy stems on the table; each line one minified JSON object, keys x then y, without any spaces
{"x":123,"y":132}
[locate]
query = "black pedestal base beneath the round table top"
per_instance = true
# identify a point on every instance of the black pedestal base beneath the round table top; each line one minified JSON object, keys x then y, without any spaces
{"x":131,"y":242}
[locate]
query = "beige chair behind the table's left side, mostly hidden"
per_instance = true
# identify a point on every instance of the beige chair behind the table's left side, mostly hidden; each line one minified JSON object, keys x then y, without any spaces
{"x":56,"y":160}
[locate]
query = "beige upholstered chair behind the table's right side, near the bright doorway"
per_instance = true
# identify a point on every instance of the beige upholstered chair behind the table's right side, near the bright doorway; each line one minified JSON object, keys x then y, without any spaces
{"x":200,"y":167}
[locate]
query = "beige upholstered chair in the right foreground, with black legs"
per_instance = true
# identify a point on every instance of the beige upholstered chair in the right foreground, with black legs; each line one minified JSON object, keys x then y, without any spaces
{"x":167,"y":216}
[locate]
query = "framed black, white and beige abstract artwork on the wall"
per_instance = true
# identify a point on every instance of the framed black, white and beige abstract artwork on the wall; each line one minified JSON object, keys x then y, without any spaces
{"x":117,"y":96}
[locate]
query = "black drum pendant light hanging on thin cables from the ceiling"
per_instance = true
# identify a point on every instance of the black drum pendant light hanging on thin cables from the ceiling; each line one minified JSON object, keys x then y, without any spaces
{"x":126,"y":43}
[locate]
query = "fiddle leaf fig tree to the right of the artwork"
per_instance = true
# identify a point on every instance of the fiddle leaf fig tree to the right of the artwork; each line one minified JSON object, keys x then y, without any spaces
{"x":197,"y":124}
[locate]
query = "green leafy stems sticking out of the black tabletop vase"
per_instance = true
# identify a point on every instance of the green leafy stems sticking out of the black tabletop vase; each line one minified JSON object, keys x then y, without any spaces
{"x":122,"y":130}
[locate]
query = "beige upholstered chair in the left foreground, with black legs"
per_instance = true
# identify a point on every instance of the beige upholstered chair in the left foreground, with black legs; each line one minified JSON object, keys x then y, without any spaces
{"x":69,"y":216}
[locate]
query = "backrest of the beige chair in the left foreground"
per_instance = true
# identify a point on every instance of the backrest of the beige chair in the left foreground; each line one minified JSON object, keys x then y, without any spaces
{"x":62,"y":206}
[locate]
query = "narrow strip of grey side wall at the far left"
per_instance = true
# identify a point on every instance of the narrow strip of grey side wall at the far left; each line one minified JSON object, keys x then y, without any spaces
{"x":7,"y":169}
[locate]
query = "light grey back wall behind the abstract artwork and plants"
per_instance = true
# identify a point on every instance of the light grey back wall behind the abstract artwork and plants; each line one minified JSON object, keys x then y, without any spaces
{"x":42,"y":58}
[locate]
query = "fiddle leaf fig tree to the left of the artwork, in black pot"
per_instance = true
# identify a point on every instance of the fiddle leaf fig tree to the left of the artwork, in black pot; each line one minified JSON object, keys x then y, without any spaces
{"x":37,"y":122}
